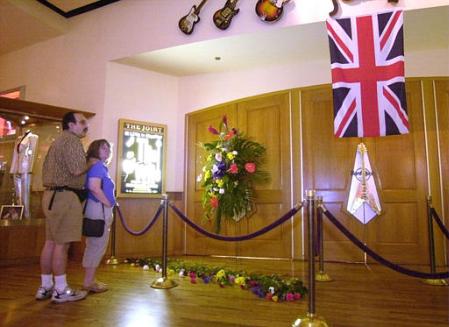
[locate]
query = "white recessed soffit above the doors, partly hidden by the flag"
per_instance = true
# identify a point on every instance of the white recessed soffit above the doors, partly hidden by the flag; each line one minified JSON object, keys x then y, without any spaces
{"x":424,"y":29}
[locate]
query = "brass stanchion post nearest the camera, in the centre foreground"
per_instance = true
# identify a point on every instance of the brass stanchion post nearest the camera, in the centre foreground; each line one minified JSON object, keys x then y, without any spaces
{"x":311,"y":319}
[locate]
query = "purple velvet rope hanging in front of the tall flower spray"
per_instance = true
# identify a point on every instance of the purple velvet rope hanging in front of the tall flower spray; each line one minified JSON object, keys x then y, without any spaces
{"x":264,"y":230}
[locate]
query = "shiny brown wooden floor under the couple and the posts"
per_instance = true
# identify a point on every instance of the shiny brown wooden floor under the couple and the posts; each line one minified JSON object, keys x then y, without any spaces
{"x":358,"y":296}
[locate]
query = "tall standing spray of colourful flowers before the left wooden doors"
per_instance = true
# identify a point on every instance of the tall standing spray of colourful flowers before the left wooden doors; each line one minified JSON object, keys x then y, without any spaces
{"x":231,"y":169}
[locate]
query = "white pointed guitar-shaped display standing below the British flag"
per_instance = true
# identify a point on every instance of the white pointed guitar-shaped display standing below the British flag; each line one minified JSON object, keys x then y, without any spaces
{"x":363,"y":202}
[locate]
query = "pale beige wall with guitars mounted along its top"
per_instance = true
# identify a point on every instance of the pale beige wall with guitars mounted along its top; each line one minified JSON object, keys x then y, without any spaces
{"x":75,"y":70}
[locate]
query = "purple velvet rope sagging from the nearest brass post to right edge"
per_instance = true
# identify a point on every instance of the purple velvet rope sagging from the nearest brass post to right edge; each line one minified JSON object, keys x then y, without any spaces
{"x":378,"y":258}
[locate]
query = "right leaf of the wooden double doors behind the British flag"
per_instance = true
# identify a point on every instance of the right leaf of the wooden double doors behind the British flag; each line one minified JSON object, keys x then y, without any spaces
{"x":400,"y":234}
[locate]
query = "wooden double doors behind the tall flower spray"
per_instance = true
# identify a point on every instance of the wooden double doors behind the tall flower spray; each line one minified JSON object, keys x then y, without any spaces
{"x":265,"y":120}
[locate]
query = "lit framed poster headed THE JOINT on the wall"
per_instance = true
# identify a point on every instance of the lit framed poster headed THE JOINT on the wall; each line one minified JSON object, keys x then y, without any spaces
{"x":141,"y":159}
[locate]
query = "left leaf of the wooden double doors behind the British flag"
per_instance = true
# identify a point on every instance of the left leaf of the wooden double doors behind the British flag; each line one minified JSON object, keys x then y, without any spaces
{"x":327,"y":163}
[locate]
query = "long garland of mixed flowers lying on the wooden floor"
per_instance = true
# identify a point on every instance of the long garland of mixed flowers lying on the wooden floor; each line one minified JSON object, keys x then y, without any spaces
{"x":271,"y":287}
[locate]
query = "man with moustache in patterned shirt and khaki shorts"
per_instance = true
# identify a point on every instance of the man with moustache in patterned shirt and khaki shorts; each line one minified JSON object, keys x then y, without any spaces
{"x":63,"y":176}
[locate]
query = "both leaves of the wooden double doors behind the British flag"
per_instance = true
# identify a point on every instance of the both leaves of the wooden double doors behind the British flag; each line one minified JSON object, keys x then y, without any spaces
{"x":400,"y":164}
